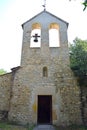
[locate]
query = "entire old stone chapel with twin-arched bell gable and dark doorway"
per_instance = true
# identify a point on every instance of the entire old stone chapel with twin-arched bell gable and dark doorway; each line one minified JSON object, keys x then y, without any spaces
{"x":43,"y":89}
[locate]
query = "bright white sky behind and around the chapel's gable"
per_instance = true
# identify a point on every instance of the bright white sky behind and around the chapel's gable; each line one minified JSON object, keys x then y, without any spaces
{"x":13,"y":13}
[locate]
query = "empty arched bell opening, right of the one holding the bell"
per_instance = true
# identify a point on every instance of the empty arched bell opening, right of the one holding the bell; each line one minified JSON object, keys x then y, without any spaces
{"x":54,"y":35}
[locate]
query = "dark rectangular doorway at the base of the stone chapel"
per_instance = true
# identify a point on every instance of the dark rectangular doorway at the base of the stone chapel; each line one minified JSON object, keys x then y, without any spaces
{"x":44,"y":109}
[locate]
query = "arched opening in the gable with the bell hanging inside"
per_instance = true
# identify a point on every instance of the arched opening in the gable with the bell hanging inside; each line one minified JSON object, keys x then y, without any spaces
{"x":36,"y":35}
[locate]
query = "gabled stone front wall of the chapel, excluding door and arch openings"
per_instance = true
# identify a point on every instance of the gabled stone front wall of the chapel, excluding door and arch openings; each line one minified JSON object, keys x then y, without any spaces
{"x":29,"y":81}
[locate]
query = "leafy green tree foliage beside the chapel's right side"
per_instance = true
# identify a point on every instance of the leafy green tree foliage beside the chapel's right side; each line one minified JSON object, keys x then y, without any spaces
{"x":78,"y":57}
